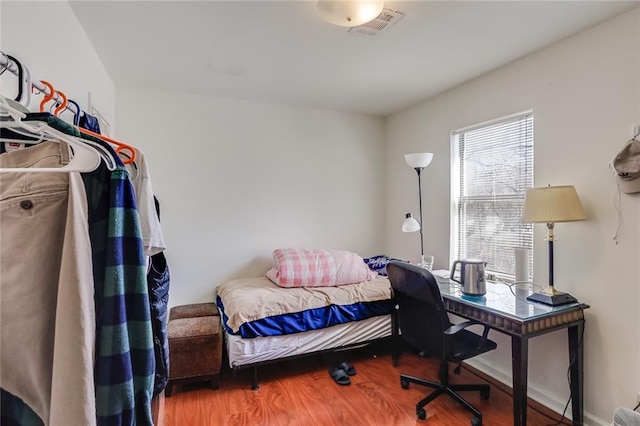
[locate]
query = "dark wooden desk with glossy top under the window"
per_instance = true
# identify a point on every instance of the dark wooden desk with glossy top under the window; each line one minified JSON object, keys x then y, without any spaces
{"x":513,"y":315}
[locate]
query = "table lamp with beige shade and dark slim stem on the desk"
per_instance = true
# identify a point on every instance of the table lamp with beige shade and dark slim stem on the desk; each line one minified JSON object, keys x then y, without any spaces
{"x":549,"y":205}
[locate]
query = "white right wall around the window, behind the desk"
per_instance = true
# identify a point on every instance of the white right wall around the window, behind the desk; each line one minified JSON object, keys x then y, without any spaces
{"x":584,"y":92}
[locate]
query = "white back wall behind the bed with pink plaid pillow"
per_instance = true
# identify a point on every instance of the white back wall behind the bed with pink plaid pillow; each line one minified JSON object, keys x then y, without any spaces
{"x":237,"y":179}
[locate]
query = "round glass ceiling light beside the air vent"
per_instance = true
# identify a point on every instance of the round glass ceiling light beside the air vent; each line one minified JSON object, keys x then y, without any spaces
{"x":349,"y":13}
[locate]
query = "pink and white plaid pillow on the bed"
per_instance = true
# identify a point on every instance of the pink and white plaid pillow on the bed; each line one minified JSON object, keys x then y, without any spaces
{"x":317,"y":268}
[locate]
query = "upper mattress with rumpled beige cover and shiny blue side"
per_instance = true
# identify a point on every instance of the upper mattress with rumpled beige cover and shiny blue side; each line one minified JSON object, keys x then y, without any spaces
{"x":256,"y":307}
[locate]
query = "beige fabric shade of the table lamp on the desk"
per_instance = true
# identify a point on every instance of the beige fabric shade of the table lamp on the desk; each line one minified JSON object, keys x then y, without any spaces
{"x":552,"y":204}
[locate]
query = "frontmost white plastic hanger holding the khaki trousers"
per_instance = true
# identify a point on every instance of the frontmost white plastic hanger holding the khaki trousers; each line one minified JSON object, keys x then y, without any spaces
{"x":85,"y":158}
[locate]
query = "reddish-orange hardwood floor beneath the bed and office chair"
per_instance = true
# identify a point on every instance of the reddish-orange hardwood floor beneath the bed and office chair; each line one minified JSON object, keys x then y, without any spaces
{"x":301,"y":393}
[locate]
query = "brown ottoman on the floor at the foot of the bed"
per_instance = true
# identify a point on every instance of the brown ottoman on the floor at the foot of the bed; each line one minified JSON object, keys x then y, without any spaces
{"x":195,"y":350}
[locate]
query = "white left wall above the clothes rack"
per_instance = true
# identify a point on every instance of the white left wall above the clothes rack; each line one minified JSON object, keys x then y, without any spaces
{"x":47,"y":38}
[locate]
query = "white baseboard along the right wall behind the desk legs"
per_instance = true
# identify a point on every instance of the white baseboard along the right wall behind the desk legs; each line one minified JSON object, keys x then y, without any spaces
{"x":536,"y":399}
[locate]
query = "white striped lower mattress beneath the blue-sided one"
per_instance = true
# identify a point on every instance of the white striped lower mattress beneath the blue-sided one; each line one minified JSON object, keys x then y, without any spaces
{"x":244,"y":352}
